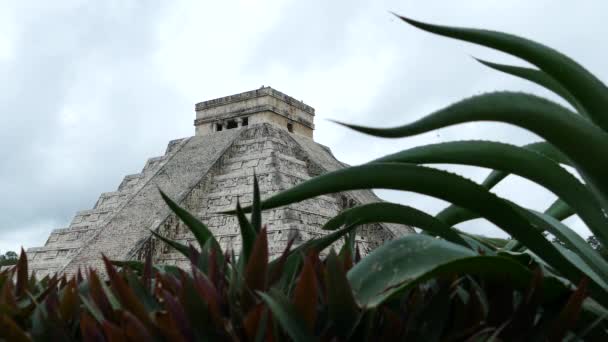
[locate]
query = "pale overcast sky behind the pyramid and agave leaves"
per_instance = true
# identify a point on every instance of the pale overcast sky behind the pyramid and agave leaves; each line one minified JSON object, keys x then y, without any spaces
{"x":90,"y":90}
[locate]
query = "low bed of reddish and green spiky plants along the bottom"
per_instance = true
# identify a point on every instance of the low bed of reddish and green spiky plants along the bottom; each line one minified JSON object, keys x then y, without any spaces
{"x":299,"y":296}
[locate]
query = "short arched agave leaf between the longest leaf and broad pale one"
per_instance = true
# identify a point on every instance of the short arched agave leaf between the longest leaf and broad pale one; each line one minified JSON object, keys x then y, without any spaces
{"x":394,"y":213}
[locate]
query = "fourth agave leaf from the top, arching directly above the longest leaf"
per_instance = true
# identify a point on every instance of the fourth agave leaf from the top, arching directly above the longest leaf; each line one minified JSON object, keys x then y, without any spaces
{"x":516,"y":160}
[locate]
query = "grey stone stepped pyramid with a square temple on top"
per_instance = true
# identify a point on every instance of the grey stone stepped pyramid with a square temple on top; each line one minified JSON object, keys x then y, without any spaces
{"x":262,"y":131}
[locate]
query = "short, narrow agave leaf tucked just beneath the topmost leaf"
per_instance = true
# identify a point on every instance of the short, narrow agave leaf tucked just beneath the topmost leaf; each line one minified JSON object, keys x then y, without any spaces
{"x":539,"y":77}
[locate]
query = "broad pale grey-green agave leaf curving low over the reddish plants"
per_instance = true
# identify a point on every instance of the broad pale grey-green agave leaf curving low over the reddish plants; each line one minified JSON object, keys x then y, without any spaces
{"x":401,"y":264}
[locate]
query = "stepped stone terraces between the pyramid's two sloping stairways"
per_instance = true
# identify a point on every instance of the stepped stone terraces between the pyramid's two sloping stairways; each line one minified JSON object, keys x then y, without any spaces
{"x":279,"y":163}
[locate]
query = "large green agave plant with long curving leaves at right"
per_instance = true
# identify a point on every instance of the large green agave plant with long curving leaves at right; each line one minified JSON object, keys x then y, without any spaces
{"x":576,"y":137}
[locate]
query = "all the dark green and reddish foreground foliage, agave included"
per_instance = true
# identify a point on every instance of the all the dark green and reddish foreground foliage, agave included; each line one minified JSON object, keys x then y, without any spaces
{"x":440,"y":285}
